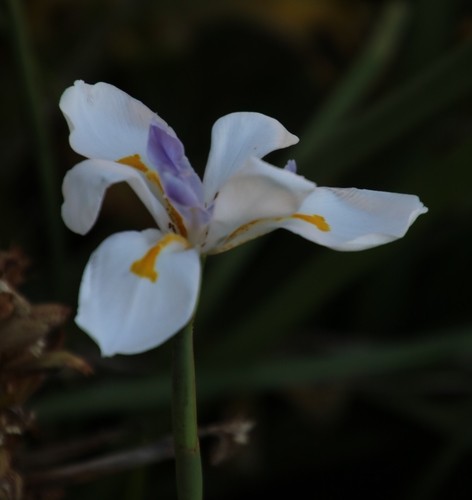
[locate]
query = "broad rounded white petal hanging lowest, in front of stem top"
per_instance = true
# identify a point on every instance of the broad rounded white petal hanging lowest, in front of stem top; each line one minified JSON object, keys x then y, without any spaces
{"x":128,"y":314}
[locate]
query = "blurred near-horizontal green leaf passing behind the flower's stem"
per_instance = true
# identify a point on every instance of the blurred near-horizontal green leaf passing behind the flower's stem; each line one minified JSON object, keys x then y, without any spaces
{"x":150,"y":393}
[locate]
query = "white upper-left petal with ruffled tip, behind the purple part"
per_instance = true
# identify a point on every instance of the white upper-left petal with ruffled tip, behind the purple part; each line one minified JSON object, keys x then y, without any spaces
{"x":105,"y":122}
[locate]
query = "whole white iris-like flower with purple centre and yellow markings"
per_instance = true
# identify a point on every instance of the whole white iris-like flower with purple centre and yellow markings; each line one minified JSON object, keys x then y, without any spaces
{"x":140,"y":288}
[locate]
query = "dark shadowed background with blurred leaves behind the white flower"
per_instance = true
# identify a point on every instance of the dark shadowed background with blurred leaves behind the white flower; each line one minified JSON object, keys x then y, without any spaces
{"x":354,"y":366}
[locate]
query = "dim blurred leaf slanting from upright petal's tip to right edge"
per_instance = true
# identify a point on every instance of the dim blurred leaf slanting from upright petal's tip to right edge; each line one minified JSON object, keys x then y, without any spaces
{"x":443,"y":84}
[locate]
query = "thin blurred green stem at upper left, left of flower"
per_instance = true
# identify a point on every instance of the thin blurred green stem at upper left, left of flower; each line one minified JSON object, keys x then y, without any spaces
{"x":46,"y":174}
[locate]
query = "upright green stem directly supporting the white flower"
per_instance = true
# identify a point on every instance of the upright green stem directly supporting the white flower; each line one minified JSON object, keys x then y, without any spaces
{"x":184,"y":415}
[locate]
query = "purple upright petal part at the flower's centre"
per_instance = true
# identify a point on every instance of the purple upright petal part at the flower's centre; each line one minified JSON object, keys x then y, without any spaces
{"x":179,"y":180}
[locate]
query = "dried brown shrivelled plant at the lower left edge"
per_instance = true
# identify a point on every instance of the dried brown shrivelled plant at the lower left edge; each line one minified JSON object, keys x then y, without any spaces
{"x":31,"y":339}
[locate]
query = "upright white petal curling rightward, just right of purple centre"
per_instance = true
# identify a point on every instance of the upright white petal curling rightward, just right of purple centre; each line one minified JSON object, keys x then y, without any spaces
{"x":237,"y":137}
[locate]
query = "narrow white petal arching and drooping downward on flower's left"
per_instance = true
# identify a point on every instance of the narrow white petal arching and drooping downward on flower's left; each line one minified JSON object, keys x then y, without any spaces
{"x":84,"y":187}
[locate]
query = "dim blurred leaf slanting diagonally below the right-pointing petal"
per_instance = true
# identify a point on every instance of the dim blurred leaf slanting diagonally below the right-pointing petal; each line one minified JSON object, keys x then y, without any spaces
{"x":281,"y":310}
